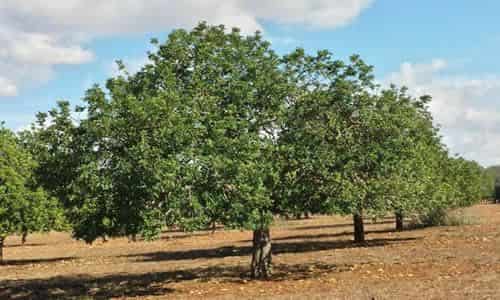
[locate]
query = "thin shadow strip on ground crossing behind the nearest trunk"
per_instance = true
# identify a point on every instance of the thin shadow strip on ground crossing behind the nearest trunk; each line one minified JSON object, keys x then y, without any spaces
{"x":278,"y":248}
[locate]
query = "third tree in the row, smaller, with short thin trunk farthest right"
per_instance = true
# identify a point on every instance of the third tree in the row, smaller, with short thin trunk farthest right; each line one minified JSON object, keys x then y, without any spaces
{"x":406,"y":186}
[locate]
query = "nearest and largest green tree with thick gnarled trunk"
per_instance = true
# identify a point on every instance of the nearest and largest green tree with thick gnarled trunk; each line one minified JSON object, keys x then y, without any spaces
{"x":187,"y":140}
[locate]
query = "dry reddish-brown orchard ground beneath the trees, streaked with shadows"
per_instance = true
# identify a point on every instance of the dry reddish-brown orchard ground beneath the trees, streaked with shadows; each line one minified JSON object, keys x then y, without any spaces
{"x":313,"y":259}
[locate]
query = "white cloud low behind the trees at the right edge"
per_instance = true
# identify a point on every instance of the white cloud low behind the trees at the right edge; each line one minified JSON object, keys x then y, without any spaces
{"x":467,"y":108}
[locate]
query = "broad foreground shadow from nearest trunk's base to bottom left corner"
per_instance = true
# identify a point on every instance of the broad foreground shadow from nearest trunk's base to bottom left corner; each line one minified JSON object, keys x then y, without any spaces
{"x":149,"y":284}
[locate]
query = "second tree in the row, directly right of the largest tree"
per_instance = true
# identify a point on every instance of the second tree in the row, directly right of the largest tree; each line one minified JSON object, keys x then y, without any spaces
{"x":332,"y":145}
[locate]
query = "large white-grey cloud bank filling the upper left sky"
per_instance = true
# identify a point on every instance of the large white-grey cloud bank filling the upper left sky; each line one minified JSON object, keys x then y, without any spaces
{"x":37,"y":35}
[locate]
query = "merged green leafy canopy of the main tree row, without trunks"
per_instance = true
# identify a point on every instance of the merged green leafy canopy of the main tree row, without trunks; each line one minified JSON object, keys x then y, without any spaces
{"x":218,"y":128}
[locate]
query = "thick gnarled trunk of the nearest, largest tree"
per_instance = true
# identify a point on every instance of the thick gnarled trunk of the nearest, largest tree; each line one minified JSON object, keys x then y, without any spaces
{"x":261,"y":257}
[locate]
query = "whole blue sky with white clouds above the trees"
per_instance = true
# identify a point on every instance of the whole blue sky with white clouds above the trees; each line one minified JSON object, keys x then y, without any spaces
{"x":55,"y":50}
